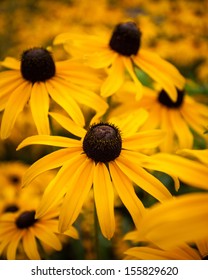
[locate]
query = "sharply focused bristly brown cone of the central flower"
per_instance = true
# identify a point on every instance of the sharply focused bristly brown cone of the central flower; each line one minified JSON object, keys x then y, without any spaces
{"x":102,"y":142}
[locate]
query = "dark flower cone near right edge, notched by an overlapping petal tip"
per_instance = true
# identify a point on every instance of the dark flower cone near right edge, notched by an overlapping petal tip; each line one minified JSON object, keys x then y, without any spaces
{"x":165,"y":100}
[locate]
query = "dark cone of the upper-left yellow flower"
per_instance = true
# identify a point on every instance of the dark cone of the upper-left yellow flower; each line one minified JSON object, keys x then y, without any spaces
{"x":37,"y":65}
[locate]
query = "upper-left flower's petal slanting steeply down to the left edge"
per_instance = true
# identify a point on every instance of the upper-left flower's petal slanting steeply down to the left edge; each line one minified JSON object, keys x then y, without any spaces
{"x":15,"y":105}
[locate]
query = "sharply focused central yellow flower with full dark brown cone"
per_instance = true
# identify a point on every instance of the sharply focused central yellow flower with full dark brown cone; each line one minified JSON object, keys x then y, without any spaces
{"x":107,"y":156}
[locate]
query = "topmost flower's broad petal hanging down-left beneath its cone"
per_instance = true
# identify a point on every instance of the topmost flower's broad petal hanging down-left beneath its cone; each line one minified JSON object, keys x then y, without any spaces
{"x":115,"y":77}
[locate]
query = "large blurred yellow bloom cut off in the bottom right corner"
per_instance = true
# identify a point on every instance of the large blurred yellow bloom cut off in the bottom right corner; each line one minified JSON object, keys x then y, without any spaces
{"x":171,"y":225}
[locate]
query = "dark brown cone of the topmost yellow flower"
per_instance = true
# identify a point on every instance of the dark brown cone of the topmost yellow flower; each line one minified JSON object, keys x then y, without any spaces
{"x":126,"y":39}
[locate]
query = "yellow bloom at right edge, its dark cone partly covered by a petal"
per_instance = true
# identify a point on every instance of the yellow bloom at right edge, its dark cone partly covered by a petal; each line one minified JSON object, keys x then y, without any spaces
{"x":178,"y":119}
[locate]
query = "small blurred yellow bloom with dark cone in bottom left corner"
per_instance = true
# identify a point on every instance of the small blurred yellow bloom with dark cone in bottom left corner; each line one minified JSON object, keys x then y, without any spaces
{"x":21,"y":228}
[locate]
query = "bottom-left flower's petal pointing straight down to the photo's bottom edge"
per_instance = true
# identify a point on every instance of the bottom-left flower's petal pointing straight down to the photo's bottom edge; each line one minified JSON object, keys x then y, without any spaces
{"x":30,"y":246}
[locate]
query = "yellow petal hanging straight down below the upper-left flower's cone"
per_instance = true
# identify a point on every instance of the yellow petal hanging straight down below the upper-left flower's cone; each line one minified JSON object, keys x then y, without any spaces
{"x":39,"y":104}
